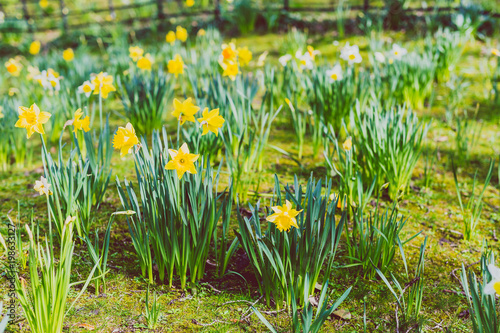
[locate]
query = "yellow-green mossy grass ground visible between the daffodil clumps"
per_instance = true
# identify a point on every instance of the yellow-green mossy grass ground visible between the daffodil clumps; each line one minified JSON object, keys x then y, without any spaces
{"x":434,"y":211}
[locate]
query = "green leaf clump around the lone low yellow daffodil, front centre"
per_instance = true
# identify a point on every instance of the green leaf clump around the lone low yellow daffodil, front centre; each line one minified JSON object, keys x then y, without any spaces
{"x":280,"y":259}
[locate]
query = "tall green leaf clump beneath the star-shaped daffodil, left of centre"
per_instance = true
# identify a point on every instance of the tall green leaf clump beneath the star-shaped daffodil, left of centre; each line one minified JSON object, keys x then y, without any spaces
{"x":175,"y":219}
